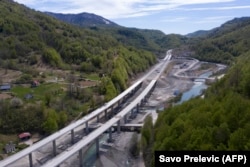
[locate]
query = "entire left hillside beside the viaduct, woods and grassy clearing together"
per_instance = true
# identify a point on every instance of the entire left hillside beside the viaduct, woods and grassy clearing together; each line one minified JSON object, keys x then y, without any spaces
{"x":37,"y":47}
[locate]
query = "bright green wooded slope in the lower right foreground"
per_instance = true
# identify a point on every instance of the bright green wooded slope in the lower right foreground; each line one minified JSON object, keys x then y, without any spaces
{"x":220,"y":121}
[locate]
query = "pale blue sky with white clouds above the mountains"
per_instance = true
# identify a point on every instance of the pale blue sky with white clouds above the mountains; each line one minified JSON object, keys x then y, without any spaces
{"x":169,"y":16}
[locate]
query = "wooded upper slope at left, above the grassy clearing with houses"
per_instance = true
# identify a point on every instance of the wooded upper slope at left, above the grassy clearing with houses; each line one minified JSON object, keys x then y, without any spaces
{"x":29,"y":37}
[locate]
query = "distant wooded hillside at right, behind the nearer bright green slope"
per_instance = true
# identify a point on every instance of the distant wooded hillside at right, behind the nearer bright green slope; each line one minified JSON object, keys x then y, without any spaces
{"x":225,"y":43}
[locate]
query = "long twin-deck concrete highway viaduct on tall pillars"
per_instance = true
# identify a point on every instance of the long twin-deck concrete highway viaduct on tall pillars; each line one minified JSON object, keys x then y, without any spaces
{"x":85,"y":121}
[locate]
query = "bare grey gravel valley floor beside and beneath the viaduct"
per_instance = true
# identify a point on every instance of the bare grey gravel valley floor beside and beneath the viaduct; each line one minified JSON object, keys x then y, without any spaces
{"x":118,"y":156}
